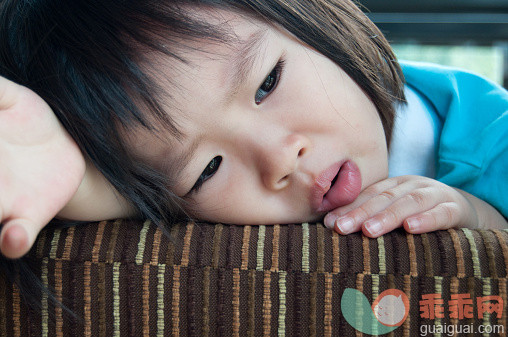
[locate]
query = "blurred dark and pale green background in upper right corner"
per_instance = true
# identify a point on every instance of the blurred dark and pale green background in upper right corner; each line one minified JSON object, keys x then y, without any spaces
{"x":470,"y":34}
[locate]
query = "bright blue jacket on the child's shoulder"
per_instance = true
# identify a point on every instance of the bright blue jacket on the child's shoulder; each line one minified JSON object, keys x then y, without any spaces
{"x":473,"y":145}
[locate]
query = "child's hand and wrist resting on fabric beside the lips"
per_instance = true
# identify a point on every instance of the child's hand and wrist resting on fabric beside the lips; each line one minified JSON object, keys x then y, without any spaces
{"x":419,"y":204}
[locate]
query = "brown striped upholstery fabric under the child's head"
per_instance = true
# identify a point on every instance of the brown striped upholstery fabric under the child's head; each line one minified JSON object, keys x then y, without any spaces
{"x":126,"y":278}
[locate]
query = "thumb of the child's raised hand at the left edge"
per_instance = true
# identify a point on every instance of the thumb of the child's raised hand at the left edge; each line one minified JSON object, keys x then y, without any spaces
{"x":17,"y":237}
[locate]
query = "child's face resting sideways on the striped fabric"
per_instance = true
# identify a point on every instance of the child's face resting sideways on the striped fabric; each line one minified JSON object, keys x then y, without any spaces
{"x":267,"y":143}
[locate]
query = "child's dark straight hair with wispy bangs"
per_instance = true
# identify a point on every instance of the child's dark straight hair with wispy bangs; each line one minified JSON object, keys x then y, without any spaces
{"x":85,"y":58}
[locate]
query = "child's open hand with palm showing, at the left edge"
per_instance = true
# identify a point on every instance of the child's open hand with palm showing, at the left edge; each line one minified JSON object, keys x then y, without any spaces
{"x":41,"y":167}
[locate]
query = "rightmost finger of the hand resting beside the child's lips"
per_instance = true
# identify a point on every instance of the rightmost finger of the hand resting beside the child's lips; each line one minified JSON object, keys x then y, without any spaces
{"x":443,"y":216}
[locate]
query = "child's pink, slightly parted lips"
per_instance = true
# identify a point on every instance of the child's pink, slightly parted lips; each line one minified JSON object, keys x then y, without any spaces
{"x":338,"y":185}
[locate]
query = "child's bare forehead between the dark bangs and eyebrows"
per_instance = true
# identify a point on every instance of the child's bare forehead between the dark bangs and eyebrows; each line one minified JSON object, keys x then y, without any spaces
{"x":206,"y":68}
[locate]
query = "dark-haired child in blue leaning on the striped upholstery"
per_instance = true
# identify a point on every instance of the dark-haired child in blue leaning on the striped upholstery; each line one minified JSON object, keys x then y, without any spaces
{"x":246,"y":112}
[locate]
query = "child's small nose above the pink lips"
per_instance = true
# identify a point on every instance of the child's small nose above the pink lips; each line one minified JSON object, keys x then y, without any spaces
{"x":279,"y":161}
